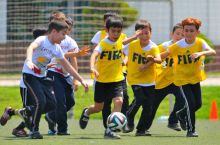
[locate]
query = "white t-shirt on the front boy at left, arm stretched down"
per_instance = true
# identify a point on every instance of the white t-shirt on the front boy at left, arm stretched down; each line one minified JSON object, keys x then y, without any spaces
{"x":42,"y":55}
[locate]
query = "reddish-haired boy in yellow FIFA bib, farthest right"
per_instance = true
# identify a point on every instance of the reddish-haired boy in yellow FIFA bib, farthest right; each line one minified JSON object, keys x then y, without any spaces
{"x":187,"y":54}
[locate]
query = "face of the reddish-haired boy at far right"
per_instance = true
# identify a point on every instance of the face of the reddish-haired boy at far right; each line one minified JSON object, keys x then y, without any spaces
{"x":190,"y":32}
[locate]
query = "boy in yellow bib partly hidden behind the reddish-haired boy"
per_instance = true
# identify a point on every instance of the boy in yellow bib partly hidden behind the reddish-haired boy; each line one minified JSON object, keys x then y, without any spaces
{"x":164,"y":81}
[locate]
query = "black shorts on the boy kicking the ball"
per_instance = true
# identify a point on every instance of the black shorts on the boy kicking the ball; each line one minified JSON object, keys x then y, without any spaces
{"x":107,"y":90}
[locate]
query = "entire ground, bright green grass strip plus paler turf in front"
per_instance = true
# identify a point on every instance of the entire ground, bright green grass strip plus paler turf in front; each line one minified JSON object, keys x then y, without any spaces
{"x":209,"y":132}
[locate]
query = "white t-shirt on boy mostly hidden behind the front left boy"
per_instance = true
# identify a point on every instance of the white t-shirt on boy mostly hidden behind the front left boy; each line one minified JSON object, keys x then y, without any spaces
{"x":68,"y":44}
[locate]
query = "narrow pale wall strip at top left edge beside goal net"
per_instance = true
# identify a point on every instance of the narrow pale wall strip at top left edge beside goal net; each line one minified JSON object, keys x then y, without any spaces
{"x":3,"y":21}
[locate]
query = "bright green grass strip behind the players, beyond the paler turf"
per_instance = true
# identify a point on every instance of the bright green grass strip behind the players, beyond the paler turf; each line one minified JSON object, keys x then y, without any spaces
{"x":10,"y":96}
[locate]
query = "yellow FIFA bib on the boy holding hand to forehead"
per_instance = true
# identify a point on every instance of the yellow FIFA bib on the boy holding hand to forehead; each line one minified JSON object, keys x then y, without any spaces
{"x":136,"y":58}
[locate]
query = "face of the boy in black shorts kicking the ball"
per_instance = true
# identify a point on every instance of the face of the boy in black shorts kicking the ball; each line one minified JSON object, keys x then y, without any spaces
{"x":114,"y":33}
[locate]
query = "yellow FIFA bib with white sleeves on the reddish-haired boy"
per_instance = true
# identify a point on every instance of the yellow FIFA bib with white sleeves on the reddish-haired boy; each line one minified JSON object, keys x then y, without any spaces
{"x":186,"y":70}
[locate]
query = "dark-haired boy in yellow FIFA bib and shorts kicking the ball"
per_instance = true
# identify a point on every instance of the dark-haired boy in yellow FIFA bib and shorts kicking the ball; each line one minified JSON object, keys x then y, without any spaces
{"x":106,"y":64}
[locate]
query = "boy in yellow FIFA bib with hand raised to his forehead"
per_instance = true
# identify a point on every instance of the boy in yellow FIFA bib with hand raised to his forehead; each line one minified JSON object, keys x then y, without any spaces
{"x":142,"y":80}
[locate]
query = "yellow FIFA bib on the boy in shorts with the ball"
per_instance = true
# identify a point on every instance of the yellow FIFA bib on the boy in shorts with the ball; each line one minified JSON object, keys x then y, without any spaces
{"x":109,"y":62}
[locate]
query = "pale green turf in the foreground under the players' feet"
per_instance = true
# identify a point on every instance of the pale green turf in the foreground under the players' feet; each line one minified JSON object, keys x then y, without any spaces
{"x":209,"y":134}
